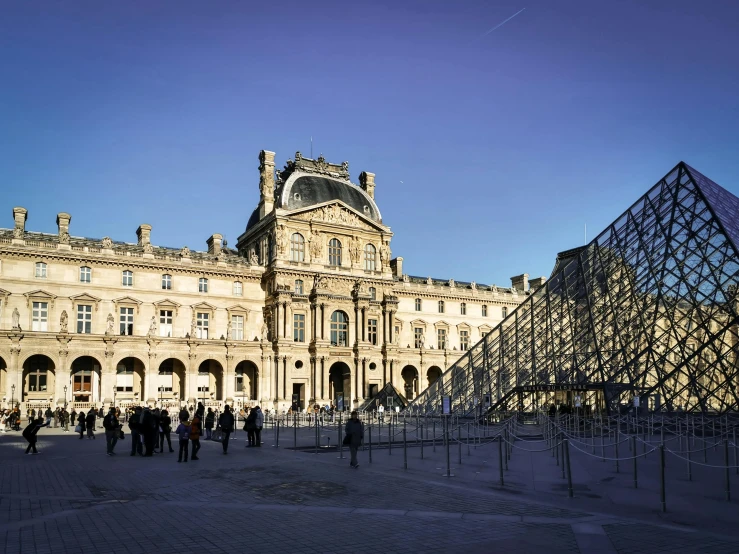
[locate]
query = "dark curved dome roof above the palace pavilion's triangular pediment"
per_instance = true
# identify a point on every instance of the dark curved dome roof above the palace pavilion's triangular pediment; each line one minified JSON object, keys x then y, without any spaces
{"x":305,"y":190}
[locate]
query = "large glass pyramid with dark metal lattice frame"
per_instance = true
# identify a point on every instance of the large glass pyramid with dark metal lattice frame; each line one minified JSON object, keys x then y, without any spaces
{"x":645,"y":315}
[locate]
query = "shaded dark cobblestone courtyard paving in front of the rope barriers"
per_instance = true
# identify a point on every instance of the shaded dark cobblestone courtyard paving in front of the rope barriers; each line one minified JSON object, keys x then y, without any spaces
{"x":73,"y":498}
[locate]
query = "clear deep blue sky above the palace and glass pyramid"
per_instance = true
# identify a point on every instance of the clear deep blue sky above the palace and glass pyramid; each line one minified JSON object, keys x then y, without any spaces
{"x":507,"y":143}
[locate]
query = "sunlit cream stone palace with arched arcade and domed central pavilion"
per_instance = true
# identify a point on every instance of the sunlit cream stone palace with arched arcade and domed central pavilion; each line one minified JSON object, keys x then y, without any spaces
{"x":309,"y":307}
